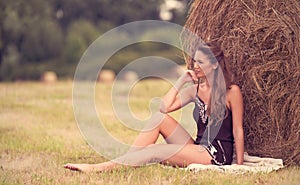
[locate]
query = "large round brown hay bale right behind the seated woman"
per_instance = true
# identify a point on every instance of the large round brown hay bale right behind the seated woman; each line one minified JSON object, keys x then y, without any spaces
{"x":262,"y":40}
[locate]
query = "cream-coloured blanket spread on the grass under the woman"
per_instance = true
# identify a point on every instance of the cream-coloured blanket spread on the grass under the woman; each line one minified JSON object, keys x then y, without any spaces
{"x":251,"y":164}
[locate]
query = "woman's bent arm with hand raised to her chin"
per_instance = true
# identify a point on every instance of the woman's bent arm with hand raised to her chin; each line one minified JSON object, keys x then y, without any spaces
{"x":177,"y":98}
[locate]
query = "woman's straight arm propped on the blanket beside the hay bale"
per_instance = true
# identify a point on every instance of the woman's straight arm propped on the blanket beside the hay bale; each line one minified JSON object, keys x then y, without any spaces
{"x":237,"y":108}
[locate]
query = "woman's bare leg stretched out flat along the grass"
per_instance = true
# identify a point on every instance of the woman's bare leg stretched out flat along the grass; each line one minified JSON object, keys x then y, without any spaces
{"x":171,"y":154}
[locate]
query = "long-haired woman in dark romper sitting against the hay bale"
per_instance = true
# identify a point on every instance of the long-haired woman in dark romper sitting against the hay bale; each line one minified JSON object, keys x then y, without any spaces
{"x":218,"y":113}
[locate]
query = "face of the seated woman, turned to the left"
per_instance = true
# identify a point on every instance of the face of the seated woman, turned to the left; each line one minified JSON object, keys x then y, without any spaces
{"x":202,"y":65}
